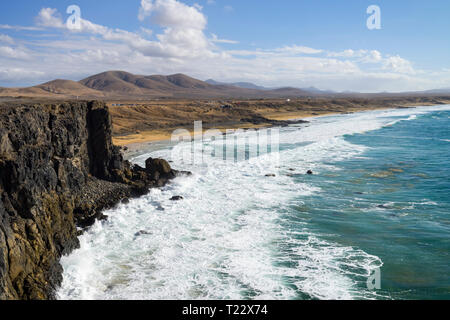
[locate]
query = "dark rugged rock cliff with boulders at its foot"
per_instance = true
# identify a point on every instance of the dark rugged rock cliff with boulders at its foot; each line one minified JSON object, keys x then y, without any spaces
{"x":58,"y":170}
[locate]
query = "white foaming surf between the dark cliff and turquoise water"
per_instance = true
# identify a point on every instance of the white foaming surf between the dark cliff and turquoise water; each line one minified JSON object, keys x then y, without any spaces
{"x":227,"y":239}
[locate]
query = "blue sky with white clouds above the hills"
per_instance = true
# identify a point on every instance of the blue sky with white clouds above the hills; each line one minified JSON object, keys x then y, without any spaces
{"x":300,"y":43}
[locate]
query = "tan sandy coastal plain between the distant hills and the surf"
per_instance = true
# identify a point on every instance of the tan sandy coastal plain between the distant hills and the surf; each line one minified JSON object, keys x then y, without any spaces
{"x":152,"y":123}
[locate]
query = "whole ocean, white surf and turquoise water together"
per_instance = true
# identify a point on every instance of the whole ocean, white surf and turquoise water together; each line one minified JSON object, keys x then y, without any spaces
{"x":372,"y":222}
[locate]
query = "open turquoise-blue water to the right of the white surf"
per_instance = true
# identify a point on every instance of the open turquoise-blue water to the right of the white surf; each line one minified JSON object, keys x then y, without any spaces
{"x":393,"y":201}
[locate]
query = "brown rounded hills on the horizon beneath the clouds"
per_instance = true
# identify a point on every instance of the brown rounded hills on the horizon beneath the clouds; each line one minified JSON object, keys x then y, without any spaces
{"x":125,"y":85}
